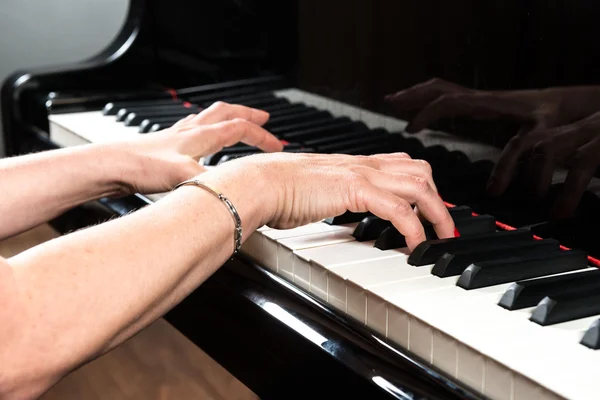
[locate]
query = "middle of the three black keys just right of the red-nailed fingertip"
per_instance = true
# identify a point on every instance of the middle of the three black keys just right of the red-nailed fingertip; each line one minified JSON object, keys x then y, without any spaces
{"x":453,"y":264}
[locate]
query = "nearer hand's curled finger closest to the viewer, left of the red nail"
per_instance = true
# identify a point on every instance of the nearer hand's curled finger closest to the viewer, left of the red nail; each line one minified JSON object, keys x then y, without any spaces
{"x":390,"y":207}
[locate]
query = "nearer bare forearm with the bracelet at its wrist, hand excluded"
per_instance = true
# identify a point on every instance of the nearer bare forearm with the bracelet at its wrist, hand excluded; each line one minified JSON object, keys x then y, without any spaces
{"x":84,"y":293}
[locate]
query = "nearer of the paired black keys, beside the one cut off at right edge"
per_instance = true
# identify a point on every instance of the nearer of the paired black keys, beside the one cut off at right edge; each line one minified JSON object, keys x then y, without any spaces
{"x":567,"y":306}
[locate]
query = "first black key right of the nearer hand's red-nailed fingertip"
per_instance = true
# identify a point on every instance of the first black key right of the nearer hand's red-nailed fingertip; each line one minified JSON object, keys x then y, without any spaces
{"x":429,"y":251}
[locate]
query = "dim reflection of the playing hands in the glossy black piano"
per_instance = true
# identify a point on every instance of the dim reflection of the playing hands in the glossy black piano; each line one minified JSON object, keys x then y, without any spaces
{"x":548,"y":137}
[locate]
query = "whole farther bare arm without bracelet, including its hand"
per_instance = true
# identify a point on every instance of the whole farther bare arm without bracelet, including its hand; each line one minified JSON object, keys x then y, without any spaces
{"x":38,"y":187}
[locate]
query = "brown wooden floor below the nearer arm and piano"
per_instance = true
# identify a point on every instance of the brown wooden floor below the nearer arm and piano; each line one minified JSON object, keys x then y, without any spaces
{"x":158,"y":363}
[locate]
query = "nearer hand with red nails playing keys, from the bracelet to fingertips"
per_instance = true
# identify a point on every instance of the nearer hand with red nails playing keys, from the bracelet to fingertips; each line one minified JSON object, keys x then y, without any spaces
{"x":290,"y":190}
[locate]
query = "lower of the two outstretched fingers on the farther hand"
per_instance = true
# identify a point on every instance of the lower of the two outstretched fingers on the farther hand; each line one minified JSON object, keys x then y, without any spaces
{"x":213,"y":138}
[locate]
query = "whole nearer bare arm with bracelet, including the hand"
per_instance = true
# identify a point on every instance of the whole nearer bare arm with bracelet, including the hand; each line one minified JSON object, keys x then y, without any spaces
{"x":74,"y":298}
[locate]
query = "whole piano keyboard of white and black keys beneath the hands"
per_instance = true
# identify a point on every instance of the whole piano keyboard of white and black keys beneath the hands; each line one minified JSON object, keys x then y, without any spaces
{"x":475,"y":307}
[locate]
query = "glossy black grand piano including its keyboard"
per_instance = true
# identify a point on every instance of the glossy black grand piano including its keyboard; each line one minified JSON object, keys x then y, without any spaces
{"x":337,"y":309}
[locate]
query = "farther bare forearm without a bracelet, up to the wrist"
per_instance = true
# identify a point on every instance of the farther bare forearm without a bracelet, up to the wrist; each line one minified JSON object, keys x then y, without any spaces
{"x":38,"y":187}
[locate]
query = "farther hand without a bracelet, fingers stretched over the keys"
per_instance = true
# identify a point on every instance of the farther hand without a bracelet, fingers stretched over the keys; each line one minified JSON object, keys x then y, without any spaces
{"x":165,"y":158}
